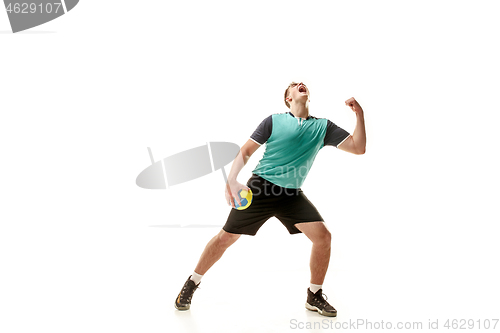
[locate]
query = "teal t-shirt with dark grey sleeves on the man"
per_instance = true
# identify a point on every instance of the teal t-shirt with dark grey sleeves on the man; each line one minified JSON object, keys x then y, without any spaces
{"x":292,"y":145}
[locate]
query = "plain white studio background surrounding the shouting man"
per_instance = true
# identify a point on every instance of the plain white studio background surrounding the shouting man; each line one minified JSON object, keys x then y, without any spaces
{"x":414,"y":220}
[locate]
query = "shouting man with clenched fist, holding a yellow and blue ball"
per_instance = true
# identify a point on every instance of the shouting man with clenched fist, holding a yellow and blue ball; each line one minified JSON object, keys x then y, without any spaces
{"x":292,"y":141}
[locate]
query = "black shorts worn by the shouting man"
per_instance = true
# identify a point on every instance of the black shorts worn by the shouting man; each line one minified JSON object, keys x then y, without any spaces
{"x":290,"y":206}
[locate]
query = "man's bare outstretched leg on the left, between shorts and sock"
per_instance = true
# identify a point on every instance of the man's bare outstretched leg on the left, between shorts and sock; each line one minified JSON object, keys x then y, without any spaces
{"x":214,"y":250}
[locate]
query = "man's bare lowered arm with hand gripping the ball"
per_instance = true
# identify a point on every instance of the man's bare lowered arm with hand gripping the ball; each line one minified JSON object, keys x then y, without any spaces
{"x":233,"y":186}
